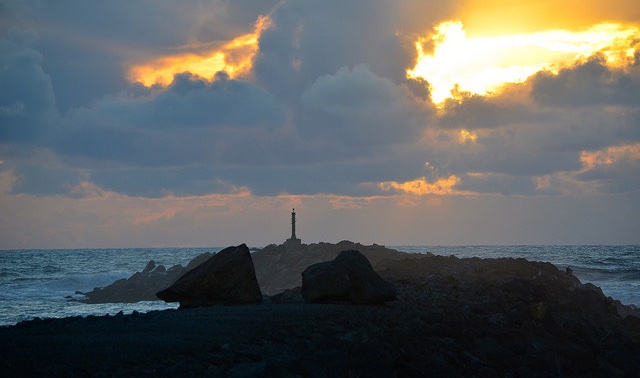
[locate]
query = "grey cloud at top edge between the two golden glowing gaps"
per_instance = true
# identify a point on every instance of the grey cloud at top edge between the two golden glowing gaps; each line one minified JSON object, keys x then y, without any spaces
{"x":309,"y":39}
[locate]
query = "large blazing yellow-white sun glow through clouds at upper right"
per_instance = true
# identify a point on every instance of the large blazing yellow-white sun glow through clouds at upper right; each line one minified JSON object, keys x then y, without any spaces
{"x":480,"y":65}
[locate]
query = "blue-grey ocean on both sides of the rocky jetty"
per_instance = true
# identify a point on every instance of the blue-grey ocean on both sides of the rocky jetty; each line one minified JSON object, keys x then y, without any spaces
{"x":39,"y":283}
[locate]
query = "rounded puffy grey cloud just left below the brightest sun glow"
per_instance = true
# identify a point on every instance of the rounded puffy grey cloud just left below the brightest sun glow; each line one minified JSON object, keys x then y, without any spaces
{"x":355,"y":106}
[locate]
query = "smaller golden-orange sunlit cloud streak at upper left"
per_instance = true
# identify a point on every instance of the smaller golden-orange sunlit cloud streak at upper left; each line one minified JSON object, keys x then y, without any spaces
{"x":234,"y":57}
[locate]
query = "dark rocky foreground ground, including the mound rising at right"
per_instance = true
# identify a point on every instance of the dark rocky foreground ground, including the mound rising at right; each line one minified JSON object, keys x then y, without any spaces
{"x":470,"y":318}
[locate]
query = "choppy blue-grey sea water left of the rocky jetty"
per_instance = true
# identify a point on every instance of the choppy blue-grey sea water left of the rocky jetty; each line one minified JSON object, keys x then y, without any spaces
{"x":43,"y":283}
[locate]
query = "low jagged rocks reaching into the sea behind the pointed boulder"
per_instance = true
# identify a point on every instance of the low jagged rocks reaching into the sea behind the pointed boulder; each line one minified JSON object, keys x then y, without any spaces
{"x":141,"y":286}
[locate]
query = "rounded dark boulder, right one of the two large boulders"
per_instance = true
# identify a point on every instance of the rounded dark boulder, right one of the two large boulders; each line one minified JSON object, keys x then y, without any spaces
{"x":348,"y":278}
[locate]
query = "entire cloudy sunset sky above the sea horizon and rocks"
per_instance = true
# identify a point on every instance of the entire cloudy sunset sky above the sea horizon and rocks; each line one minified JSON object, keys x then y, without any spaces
{"x":203,"y":123}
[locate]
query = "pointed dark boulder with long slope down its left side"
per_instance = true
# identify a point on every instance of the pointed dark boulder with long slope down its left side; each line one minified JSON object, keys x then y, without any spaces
{"x":228,"y":277}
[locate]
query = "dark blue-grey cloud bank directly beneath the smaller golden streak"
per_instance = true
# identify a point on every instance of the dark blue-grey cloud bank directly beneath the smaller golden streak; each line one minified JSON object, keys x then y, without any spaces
{"x":189,"y":102}
